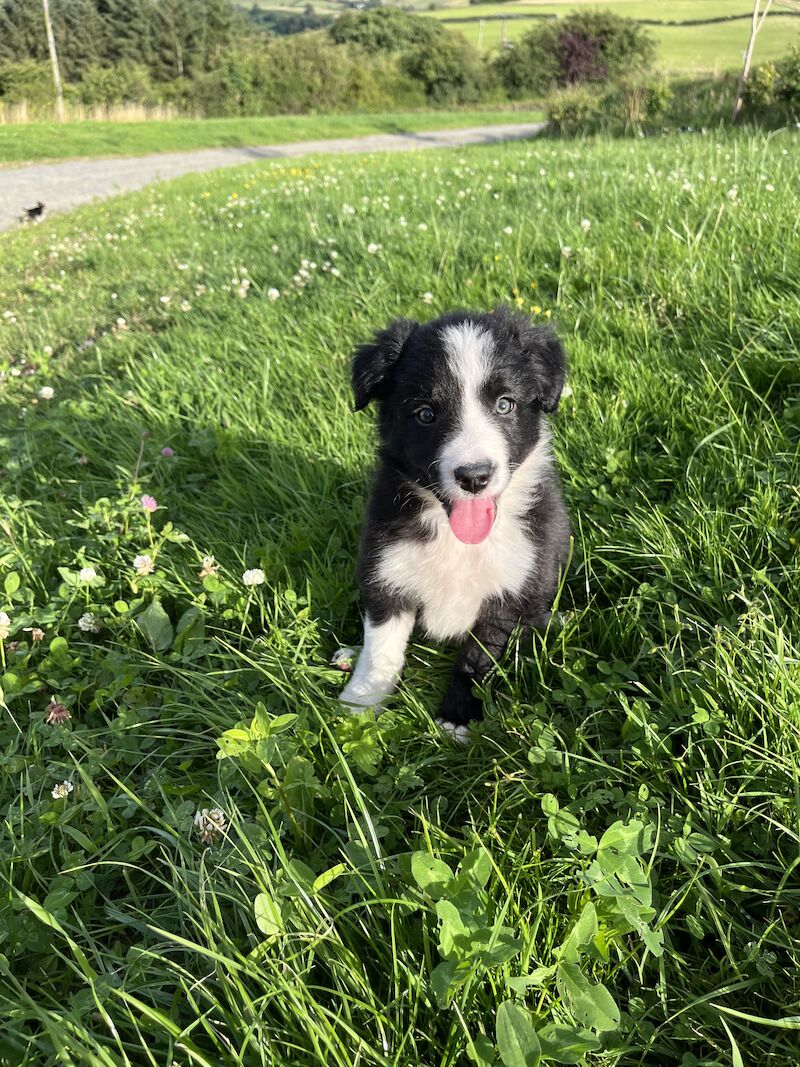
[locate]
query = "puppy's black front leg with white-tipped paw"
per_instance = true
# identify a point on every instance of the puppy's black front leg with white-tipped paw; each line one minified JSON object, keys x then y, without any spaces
{"x":483,"y":649}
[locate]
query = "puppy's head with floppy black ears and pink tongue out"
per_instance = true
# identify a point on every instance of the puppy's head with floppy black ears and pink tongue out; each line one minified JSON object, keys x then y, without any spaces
{"x":461,"y":403}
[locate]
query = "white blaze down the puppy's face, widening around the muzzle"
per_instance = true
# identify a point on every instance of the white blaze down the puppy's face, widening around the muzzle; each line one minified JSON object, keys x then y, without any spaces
{"x":477,"y":438}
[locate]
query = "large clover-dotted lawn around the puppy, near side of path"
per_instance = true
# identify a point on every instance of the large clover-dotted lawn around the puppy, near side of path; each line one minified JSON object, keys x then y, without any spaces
{"x":626,"y":823}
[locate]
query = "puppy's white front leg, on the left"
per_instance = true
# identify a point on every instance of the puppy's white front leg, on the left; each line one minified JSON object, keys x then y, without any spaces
{"x":382,"y":658}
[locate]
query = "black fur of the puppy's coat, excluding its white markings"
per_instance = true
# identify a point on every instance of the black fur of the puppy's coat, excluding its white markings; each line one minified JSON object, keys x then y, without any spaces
{"x":407,"y":367}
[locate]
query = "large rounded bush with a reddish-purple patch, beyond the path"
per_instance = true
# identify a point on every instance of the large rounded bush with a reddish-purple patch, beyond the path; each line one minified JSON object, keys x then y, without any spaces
{"x":581,"y":49}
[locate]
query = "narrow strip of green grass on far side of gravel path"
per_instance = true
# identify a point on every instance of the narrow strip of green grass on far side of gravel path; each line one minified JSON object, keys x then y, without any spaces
{"x":52,"y":140}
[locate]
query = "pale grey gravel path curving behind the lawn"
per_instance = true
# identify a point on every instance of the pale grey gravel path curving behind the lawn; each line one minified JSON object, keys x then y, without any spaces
{"x":68,"y":185}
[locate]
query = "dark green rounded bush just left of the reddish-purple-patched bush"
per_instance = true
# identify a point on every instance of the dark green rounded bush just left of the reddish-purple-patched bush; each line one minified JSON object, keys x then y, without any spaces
{"x":451,"y":72}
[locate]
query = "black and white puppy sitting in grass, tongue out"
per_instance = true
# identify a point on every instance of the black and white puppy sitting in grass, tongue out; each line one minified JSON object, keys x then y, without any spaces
{"x":466,"y":530}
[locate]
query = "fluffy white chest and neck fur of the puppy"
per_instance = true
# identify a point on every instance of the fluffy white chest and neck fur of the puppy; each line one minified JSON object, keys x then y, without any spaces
{"x":451,"y":580}
